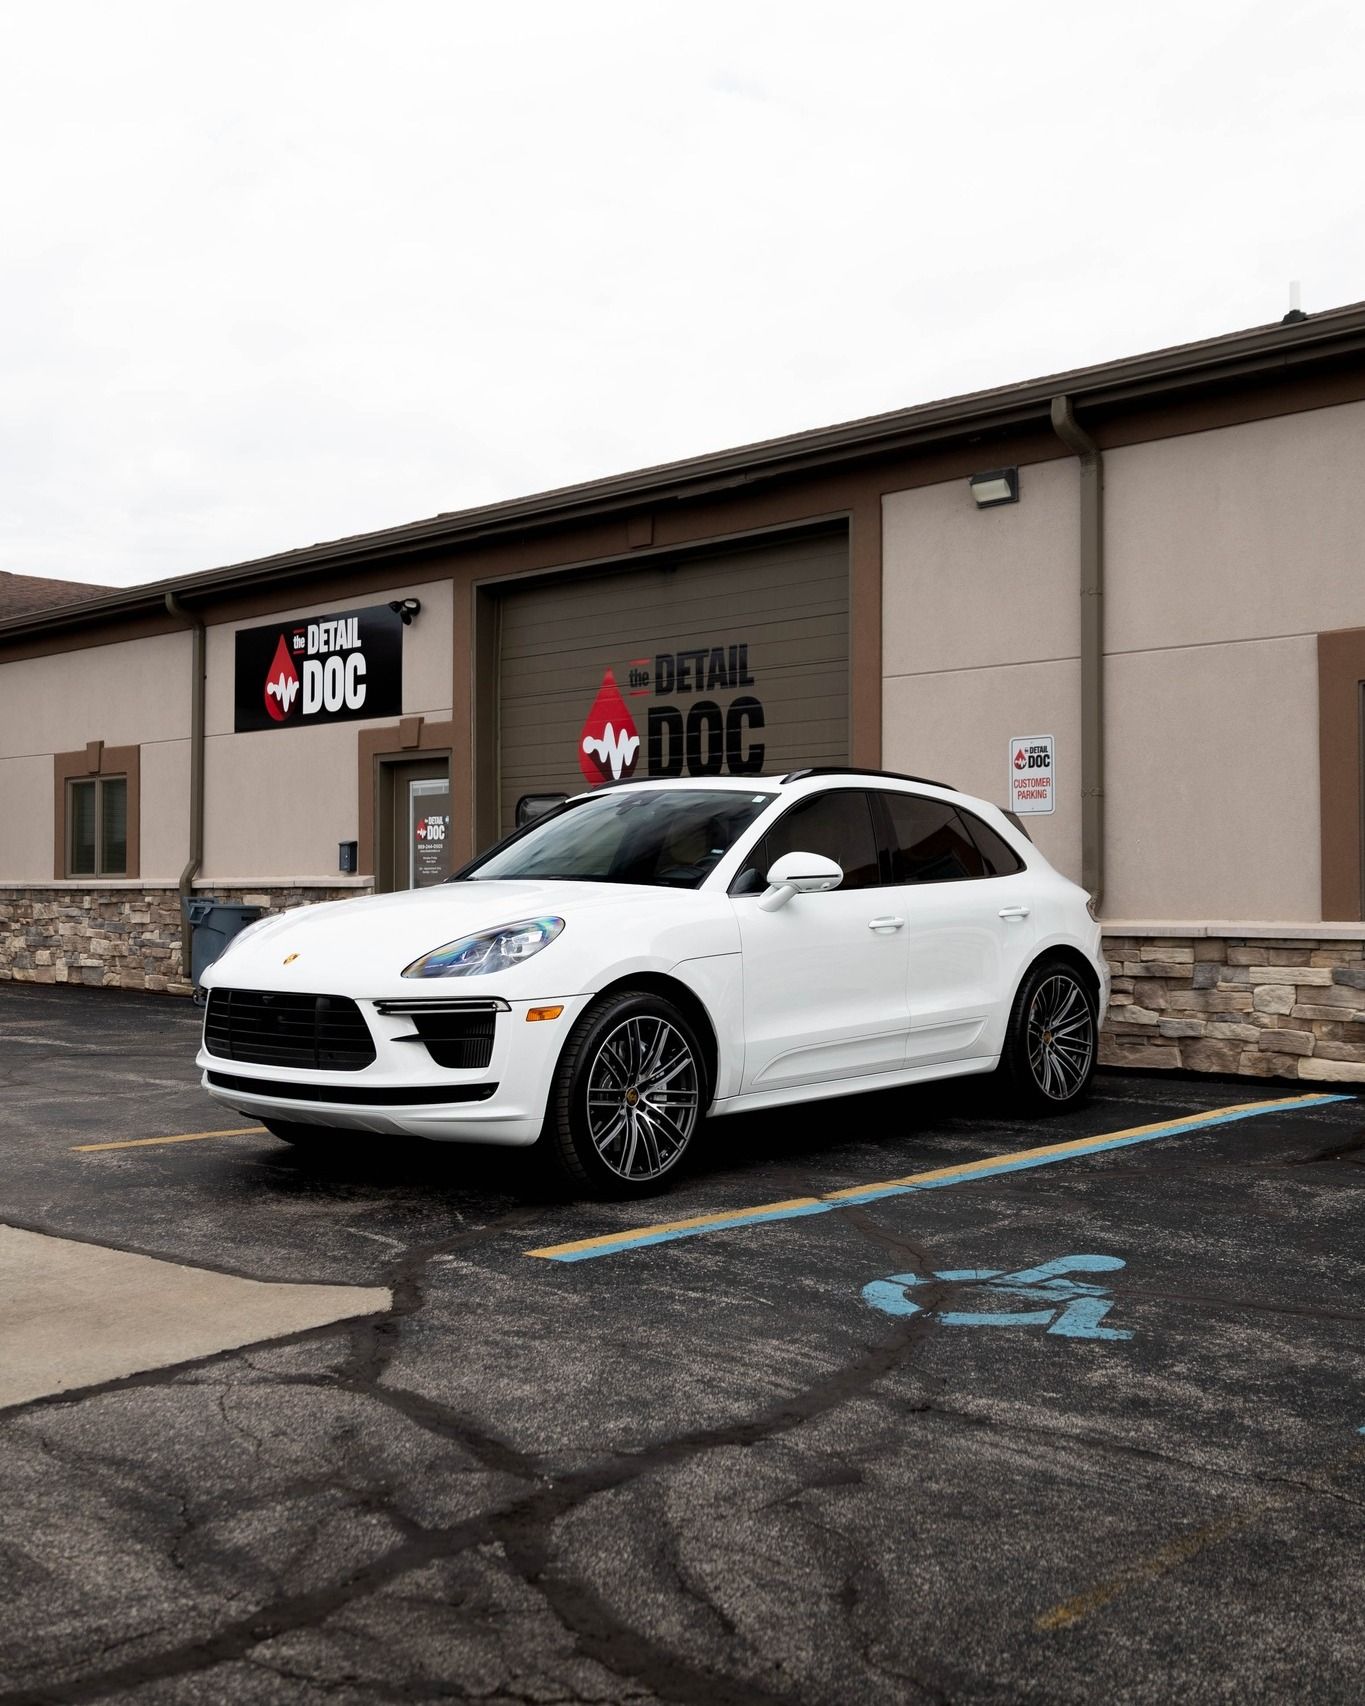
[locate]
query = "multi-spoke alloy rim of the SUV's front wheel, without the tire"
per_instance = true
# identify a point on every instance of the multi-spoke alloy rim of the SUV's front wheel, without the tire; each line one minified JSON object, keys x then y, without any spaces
{"x":644,"y":1098}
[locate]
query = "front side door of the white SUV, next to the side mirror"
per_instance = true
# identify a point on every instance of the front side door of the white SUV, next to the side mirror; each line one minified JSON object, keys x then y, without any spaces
{"x":827,"y":975}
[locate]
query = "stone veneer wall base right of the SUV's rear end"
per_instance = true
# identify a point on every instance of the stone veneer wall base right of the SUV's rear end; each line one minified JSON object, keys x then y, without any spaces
{"x":1262,"y":1006}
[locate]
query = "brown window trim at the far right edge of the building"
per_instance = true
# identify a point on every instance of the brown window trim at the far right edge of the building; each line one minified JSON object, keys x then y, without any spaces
{"x":1340,"y":758}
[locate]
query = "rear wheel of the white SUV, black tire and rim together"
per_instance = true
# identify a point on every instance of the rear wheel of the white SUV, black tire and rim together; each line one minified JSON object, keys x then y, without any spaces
{"x":1052,"y":1043}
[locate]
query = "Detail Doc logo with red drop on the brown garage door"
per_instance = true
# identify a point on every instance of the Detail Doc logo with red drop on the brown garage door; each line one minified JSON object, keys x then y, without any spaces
{"x":707,"y":729}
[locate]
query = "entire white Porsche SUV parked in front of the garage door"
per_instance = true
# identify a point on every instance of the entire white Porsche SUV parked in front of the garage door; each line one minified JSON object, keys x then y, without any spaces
{"x":663,"y":951}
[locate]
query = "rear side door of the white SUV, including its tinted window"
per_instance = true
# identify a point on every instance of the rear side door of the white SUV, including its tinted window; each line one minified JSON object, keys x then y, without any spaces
{"x":967,"y":898}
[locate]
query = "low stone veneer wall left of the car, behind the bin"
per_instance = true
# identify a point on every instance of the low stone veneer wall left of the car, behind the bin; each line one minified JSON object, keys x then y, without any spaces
{"x":125,"y":937}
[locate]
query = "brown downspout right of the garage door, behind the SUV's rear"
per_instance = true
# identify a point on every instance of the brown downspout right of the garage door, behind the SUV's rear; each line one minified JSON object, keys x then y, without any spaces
{"x":1083,"y":446}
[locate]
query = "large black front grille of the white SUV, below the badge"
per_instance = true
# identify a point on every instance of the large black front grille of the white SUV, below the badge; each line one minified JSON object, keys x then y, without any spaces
{"x":270,"y":1030}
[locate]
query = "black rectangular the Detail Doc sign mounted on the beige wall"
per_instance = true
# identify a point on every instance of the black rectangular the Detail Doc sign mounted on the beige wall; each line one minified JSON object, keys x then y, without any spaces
{"x":320,"y":670}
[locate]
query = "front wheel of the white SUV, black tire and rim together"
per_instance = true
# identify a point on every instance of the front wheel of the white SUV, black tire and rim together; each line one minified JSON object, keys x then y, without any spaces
{"x":627,"y":1098}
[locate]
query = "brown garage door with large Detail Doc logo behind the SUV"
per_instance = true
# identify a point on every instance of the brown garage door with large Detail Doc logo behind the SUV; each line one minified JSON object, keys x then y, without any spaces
{"x":726,"y":664}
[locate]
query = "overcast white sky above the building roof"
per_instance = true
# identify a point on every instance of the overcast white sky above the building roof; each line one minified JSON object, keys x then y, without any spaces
{"x":277,"y":274}
